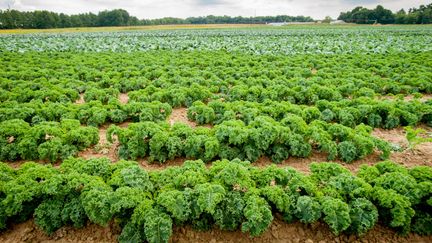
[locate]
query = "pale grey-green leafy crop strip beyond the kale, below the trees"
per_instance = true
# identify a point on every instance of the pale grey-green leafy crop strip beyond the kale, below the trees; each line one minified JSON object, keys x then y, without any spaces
{"x":253,"y":39}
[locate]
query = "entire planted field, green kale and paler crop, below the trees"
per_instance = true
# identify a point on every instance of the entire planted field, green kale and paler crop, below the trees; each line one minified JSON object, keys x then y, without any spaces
{"x":292,"y":134}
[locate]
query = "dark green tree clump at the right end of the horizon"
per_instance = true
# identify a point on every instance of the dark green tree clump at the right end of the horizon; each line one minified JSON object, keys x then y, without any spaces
{"x":361,"y":15}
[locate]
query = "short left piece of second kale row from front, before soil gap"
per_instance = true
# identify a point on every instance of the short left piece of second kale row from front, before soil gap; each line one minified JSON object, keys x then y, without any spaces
{"x":45,"y":141}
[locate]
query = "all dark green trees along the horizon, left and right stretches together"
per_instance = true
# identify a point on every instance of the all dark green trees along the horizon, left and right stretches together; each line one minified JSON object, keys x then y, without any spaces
{"x":42,"y":19}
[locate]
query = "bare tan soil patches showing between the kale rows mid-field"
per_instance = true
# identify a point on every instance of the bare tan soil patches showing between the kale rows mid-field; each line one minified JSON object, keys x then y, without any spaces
{"x":422,"y":155}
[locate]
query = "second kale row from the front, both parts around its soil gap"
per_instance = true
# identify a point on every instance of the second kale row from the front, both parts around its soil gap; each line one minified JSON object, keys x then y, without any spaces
{"x":292,"y":136}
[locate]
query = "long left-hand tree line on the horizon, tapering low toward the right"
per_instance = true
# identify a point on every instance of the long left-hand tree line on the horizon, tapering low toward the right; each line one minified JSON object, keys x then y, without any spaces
{"x":13,"y":19}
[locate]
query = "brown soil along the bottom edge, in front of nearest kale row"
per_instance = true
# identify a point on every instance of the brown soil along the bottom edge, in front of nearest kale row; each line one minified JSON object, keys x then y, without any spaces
{"x":279,"y":231}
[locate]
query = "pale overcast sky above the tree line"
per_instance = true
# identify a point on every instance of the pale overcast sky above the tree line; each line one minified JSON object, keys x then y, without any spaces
{"x":185,"y":8}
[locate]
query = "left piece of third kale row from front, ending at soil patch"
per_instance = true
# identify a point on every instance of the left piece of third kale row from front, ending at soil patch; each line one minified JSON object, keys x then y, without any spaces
{"x":93,"y":113}
